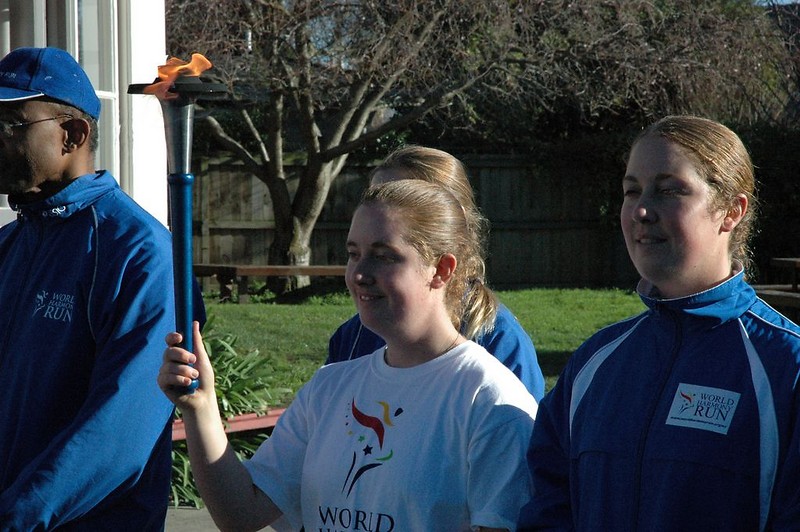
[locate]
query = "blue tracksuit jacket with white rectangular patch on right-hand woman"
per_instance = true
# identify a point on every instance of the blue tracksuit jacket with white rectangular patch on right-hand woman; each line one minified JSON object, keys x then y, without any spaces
{"x":686,"y":417}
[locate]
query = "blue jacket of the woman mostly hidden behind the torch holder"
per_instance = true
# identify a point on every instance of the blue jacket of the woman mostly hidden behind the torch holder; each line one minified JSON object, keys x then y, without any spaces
{"x":507,"y":341}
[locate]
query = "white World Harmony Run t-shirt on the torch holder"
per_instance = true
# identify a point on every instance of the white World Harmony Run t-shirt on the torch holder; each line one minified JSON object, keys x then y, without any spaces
{"x":366,"y":446}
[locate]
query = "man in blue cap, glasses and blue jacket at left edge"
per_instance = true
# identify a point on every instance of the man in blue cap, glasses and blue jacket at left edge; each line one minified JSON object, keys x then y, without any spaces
{"x":85,"y":285}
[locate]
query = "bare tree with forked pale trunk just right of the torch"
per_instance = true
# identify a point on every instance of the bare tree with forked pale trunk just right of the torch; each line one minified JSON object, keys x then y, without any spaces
{"x":327,"y":77}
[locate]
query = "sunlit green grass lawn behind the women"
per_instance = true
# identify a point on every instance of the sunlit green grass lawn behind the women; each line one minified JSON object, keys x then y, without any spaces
{"x":294,"y":334}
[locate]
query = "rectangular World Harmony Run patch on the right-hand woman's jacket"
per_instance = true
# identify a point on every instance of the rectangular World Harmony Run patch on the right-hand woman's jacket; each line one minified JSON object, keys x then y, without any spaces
{"x":703,"y":407}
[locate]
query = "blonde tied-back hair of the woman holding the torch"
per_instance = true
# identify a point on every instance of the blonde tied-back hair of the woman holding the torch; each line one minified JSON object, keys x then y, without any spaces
{"x":437,"y":224}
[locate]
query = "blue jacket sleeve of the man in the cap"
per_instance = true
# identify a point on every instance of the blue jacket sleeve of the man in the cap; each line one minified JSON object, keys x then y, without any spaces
{"x":104,"y":452}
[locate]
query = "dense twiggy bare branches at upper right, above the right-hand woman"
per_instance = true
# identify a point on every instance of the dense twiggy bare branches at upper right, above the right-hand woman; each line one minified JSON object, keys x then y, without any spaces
{"x":608,"y":64}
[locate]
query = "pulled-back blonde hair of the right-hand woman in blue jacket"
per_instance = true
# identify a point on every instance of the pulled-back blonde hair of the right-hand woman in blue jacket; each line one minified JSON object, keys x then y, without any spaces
{"x":723,"y":162}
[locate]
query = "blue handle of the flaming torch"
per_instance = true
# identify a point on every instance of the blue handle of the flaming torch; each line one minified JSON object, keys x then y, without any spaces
{"x":180,"y":193}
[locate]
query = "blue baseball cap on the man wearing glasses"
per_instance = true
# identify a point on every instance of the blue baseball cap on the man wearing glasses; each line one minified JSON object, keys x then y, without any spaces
{"x":27,"y":73}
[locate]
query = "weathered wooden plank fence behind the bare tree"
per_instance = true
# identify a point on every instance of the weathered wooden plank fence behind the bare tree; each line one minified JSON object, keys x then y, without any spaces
{"x":547,"y":227}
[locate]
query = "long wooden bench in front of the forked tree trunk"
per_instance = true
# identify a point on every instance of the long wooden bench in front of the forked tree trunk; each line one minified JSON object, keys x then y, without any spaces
{"x":229,"y":274}
